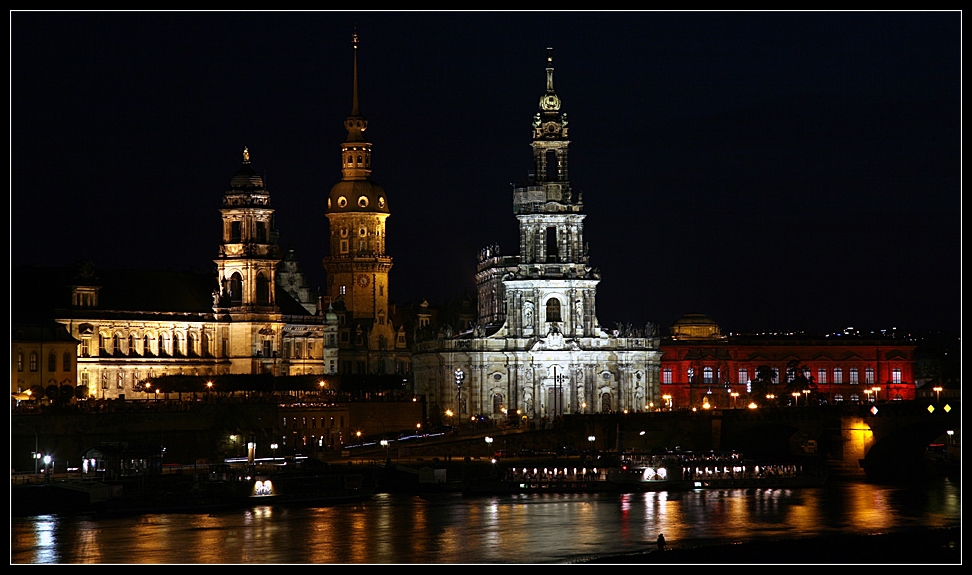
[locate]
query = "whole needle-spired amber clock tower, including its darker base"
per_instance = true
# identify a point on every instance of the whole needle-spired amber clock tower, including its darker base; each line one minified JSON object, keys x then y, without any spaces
{"x":357,"y":266}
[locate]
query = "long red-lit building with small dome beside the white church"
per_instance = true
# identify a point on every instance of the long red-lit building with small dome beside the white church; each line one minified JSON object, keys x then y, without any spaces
{"x":701,"y":367}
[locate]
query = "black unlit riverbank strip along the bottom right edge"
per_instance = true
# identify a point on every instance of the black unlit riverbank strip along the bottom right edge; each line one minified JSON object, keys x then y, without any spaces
{"x":942,"y":546}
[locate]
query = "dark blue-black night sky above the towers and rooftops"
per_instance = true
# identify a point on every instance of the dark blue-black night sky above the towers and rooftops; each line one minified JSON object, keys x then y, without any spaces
{"x":775,"y":171}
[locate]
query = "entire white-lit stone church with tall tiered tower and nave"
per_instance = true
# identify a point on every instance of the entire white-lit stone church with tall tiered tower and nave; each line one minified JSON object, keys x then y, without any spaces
{"x":538,"y":350}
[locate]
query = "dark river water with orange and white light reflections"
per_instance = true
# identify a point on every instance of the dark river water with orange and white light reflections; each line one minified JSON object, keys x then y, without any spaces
{"x":448,"y":528}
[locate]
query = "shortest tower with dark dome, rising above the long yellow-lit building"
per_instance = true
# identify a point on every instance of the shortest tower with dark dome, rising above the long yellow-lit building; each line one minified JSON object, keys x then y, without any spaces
{"x":247,"y":253}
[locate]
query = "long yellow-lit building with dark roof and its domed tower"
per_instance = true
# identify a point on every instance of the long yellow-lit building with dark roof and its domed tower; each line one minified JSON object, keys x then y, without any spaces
{"x":132,"y":325}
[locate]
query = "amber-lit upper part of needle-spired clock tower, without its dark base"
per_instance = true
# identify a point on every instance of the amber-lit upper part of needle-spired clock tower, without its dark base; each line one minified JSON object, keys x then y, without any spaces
{"x":357,"y":266}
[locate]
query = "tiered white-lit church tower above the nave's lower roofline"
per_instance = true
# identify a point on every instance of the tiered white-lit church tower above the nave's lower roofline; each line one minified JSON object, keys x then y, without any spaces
{"x":549,"y":288}
